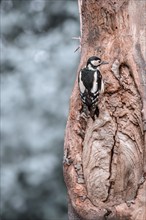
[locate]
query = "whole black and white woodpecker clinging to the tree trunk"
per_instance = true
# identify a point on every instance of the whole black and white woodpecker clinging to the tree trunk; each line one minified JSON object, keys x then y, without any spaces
{"x":91,"y":85}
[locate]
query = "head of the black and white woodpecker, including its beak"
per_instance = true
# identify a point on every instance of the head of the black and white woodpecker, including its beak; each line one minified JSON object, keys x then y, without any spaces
{"x":94,"y":63}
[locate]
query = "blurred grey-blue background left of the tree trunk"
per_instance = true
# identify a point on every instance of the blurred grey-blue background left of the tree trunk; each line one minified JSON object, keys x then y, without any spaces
{"x":38,"y":69}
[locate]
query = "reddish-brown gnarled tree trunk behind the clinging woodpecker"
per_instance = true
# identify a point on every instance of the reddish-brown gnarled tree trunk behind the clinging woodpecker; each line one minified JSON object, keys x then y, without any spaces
{"x":105,"y":159}
